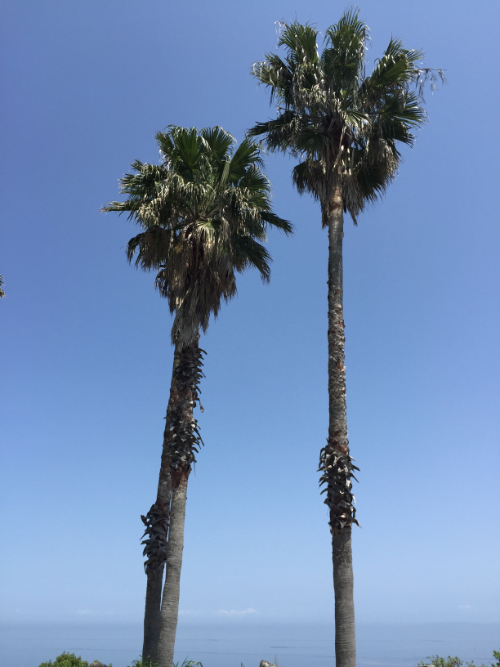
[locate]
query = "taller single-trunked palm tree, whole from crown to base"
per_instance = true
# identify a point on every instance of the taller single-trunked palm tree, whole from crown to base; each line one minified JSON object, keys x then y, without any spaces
{"x":344,"y":127}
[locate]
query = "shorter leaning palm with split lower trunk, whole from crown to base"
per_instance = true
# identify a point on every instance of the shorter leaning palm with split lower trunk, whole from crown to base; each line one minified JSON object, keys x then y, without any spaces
{"x":204,"y":212}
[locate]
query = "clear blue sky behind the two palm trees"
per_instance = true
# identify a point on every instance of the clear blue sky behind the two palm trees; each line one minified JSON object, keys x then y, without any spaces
{"x":86,"y":358}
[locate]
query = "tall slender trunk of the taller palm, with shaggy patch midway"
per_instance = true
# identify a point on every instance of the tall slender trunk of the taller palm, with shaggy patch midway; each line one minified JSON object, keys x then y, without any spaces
{"x":335,"y":460}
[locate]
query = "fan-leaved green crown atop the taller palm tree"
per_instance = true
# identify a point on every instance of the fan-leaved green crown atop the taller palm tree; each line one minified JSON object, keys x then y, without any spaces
{"x":343,"y":124}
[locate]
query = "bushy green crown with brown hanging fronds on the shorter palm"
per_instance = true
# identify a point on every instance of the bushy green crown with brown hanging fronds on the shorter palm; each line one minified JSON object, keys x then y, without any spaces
{"x":204,"y":211}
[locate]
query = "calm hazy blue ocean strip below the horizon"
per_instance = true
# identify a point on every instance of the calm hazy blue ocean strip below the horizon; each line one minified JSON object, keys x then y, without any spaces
{"x":233,"y":645}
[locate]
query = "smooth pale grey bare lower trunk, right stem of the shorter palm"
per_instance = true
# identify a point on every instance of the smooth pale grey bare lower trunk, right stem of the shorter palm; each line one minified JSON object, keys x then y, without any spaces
{"x":171,"y":591}
